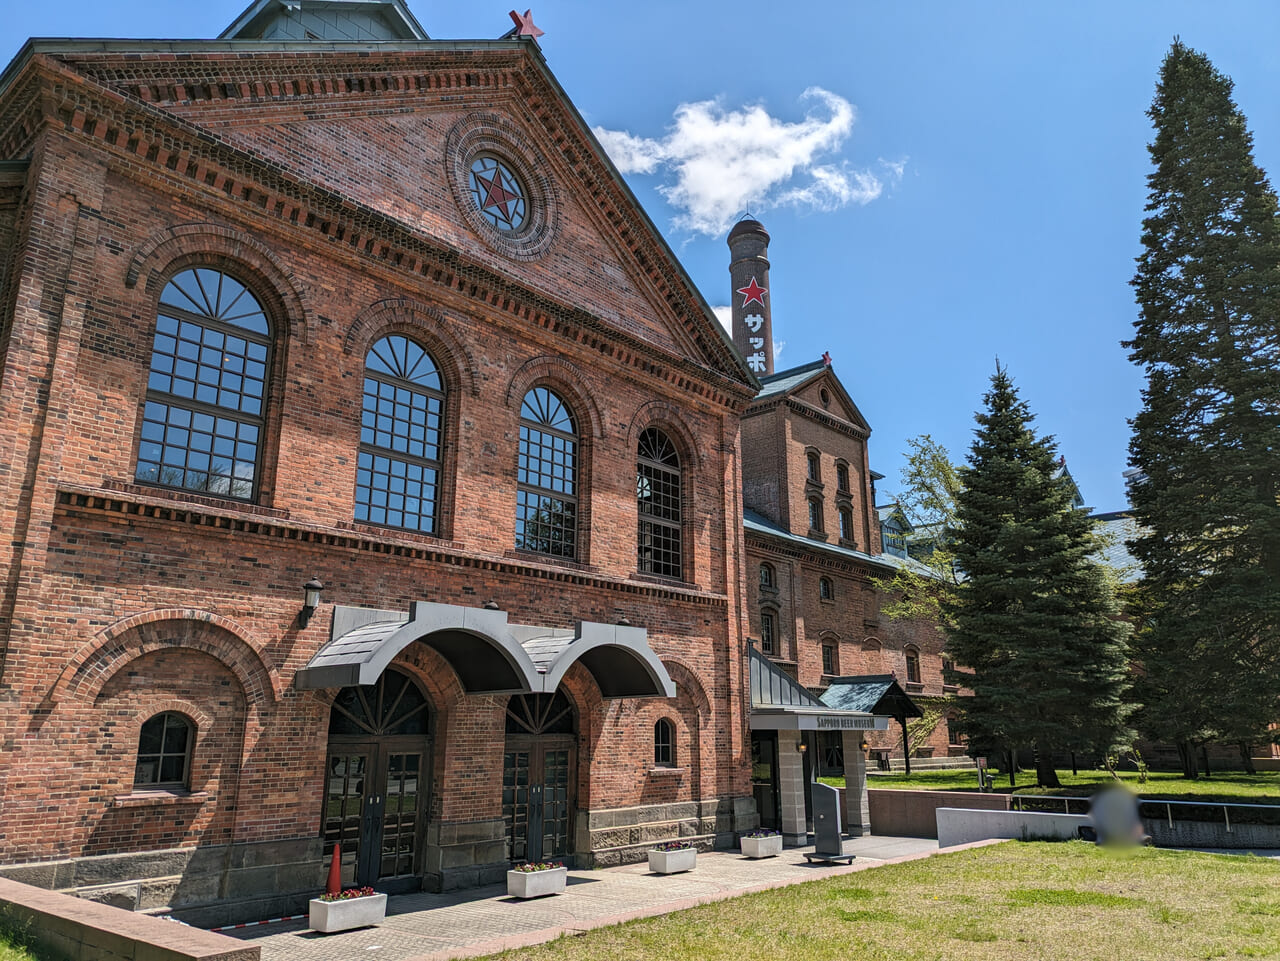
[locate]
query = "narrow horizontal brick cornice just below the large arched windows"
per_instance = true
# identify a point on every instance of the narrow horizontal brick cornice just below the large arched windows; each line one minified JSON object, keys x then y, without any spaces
{"x":232,"y":519}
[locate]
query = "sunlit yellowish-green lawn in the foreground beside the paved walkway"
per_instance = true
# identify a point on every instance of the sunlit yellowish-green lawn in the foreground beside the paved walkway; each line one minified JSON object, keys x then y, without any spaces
{"x":1014,"y":901}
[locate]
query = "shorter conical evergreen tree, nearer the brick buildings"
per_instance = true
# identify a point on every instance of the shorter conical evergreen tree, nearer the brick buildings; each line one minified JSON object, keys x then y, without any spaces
{"x":1035,"y":616}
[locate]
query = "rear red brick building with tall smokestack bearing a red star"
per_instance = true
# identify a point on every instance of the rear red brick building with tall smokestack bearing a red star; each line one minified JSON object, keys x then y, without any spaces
{"x":815,"y":548}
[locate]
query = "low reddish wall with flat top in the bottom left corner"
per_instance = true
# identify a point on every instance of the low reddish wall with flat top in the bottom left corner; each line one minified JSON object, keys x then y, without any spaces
{"x":85,"y":931}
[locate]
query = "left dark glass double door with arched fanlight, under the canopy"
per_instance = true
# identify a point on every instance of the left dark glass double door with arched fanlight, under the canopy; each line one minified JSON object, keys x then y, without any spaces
{"x":377,"y":784}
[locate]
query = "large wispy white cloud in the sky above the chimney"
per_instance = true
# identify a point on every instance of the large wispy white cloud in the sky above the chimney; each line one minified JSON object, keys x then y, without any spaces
{"x":721,"y":163}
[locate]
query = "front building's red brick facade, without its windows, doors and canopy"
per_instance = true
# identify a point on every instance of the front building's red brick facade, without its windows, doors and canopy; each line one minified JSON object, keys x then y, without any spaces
{"x":327,"y":182}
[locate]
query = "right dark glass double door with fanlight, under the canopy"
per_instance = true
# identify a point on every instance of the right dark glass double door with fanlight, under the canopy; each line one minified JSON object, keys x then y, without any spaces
{"x":538,"y":779}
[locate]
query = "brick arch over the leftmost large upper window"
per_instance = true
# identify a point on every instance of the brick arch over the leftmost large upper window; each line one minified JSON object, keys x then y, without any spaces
{"x":186,"y":245}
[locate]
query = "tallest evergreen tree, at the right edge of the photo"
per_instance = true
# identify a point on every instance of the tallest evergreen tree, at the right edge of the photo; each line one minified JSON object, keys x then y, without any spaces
{"x":1208,"y":438}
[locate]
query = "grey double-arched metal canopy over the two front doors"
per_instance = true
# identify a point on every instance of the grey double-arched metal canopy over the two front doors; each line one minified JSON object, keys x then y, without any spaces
{"x":488,"y":655}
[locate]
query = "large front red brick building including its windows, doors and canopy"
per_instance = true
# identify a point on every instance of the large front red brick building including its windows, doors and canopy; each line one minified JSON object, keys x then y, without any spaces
{"x":372,"y":477}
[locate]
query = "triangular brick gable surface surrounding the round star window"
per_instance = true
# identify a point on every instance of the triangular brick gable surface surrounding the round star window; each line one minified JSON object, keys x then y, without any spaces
{"x":611,"y":264}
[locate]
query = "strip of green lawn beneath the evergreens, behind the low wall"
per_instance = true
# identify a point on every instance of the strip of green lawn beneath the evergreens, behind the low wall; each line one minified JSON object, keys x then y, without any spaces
{"x":1226,"y":786}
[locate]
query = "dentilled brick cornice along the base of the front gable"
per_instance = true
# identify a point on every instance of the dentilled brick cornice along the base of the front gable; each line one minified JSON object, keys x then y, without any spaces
{"x":185,"y":157}
